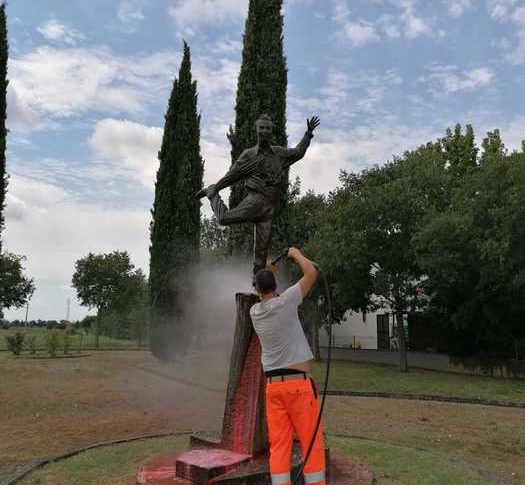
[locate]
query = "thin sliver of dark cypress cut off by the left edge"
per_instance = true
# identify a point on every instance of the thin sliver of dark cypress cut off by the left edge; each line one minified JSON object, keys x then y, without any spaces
{"x":3,"y":115}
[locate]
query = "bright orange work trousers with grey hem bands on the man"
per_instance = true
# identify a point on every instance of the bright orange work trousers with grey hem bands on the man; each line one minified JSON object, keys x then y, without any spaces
{"x":293,"y":405}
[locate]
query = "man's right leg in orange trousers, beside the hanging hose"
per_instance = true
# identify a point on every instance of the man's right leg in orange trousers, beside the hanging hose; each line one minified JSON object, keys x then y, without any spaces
{"x":303,"y":408}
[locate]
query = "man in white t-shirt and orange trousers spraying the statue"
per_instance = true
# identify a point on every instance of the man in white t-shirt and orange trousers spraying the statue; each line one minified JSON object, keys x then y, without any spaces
{"x":291,"y":395}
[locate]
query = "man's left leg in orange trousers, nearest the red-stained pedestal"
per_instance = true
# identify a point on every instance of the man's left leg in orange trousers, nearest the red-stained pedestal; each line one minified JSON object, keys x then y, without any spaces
{"x":280,"y":435}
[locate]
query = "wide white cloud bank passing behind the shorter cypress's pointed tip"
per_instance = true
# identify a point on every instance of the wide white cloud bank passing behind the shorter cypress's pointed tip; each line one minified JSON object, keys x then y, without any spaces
{"x":52,"y":83}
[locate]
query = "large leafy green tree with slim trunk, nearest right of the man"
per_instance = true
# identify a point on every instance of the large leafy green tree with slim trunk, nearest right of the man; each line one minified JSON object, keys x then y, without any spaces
{"x":365,"y":237}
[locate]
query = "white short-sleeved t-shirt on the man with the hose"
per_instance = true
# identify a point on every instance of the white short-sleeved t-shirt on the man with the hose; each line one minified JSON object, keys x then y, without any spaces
{"x":277,"y":324}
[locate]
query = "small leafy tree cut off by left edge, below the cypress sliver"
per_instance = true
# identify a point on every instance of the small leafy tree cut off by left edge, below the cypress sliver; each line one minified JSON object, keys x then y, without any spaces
{"x":15,"y":288}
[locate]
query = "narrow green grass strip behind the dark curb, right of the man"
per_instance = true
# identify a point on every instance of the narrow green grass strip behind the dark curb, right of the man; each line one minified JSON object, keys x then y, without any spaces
{"x":369,"y":377}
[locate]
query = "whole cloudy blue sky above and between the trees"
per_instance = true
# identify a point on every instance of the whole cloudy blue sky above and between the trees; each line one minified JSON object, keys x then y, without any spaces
{"x":89,"y":84}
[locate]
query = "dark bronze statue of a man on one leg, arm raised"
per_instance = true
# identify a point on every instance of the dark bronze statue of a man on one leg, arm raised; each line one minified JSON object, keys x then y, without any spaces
{"x":262,"y":168}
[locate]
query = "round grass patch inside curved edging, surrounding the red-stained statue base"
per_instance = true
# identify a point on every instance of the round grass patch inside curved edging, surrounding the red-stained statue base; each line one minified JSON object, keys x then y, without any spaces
{"x":391,"y":464}
